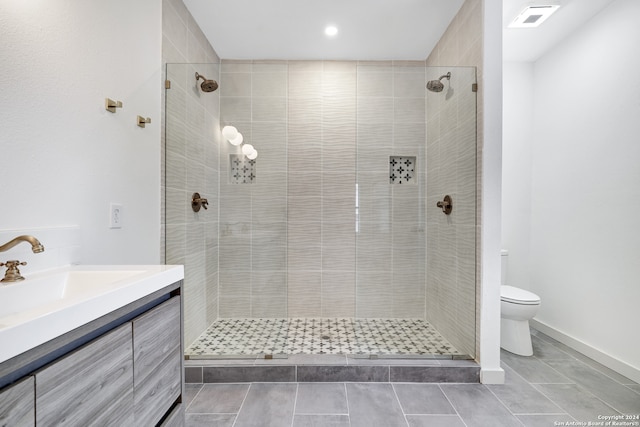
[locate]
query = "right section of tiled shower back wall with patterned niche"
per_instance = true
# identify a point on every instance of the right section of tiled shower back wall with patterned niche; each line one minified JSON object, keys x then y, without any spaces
{"x":391,"y":241}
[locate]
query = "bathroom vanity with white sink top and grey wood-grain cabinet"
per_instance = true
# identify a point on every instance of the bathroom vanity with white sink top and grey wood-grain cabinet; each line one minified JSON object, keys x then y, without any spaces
{"x":121,"y":366}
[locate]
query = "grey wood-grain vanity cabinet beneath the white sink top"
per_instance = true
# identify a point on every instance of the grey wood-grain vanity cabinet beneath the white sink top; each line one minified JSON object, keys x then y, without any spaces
{"x":130,"y":375}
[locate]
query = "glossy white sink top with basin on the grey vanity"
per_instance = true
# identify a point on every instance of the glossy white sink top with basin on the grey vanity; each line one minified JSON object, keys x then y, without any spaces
{"x":48,"y":304}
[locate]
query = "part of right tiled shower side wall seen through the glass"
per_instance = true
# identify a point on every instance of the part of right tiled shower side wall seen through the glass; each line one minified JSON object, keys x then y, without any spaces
{"x":451,"y":239}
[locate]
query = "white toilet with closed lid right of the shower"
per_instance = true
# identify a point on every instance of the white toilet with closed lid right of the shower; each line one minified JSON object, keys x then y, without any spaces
{"x":517,"y":306}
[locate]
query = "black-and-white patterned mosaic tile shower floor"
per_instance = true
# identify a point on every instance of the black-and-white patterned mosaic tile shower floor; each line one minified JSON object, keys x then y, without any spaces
{"x":251,"y":337}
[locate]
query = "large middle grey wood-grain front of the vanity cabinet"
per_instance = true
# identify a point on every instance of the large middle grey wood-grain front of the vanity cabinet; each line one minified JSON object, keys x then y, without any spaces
{"x":91,"y":386}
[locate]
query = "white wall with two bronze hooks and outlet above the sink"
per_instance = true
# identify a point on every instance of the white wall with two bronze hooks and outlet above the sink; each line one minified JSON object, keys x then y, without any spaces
{"x":64,"y":157}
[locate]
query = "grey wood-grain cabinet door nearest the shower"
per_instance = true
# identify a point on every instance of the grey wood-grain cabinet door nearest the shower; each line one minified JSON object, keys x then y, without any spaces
{"x":157,"y":361}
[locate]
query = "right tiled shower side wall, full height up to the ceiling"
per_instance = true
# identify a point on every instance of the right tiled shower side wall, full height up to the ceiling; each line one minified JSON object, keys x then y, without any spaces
{"x":451,"y":308}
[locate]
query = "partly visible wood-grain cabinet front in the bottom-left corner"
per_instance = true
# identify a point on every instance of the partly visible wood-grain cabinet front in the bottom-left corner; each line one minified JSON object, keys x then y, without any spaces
{"x":17,"y":404}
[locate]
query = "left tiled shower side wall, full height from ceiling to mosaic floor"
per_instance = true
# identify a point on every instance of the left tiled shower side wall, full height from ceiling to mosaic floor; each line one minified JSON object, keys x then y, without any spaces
{"x":191,"y":165}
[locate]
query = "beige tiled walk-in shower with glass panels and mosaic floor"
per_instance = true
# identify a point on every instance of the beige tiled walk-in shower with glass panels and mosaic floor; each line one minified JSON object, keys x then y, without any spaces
{"x":330,"y":226}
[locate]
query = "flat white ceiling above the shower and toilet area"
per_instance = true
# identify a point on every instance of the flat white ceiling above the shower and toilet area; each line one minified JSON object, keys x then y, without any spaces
{"x":368,"y":29}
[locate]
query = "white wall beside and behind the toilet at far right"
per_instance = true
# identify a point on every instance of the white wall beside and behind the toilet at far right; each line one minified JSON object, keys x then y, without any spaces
{"x":585,"y":187}
